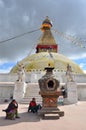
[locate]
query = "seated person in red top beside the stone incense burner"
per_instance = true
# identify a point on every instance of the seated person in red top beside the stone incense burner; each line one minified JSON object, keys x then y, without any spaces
{"x":33,"y":107}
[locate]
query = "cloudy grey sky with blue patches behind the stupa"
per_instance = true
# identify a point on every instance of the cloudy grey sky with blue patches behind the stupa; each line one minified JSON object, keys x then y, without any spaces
{"x":21,"y":16}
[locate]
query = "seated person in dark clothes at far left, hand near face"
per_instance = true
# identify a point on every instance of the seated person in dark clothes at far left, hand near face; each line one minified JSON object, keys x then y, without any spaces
{"x":12,"y":110}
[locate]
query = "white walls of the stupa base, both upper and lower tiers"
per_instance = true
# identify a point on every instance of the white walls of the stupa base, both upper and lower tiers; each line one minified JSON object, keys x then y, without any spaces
{"x":7,"y":82}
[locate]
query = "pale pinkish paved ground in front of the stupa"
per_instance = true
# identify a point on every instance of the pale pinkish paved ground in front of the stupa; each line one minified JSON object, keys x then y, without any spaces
{"x":74,"y":119}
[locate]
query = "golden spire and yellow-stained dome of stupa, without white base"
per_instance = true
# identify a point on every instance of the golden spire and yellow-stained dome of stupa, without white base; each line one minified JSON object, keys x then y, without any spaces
{"x":47,"y":53}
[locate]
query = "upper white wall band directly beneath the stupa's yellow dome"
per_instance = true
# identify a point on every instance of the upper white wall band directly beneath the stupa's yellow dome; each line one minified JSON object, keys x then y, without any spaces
{"x":38,"y":74}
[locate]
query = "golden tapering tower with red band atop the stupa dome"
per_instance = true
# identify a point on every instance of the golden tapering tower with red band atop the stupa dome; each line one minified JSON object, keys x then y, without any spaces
{"x":47,"y":41}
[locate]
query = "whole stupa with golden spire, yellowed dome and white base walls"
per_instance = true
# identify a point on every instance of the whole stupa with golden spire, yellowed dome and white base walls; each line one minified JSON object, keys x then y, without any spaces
{"x":47,"y":53}
